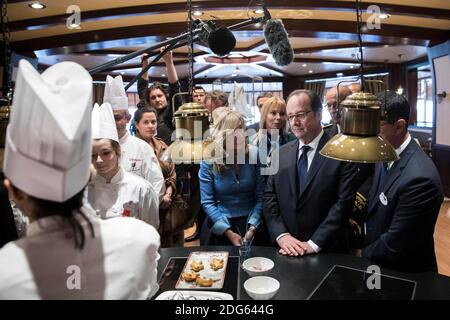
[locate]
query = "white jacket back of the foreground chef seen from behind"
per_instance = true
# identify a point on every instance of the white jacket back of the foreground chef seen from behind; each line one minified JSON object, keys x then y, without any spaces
{"x":119,"y":263}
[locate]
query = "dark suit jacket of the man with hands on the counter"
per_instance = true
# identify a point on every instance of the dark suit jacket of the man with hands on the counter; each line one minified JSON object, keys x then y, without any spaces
{"x":321,"y":211}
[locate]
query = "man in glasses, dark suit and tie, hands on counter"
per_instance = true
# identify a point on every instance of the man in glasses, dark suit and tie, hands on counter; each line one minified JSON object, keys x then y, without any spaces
{"x":307,"y":202}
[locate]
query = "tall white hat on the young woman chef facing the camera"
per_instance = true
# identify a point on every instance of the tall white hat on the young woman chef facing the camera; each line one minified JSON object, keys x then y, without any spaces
{"x":103,"y":124}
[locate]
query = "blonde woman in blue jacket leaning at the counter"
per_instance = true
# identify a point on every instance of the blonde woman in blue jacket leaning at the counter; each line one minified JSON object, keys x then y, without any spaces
{"x":231,"y":190}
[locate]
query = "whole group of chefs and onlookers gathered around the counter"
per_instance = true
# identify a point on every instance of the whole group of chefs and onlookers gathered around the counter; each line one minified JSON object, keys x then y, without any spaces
{"x":100,"y":202}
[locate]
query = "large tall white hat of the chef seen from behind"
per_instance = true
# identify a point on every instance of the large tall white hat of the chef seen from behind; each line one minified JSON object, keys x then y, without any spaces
{"x":48,"y":140}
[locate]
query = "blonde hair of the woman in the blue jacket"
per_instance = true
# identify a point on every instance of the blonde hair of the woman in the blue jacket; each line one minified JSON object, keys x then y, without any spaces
{"x":228,"y":120}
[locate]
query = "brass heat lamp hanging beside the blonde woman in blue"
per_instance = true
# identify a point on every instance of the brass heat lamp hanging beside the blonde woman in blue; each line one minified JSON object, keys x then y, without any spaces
{"x":192,"y":144}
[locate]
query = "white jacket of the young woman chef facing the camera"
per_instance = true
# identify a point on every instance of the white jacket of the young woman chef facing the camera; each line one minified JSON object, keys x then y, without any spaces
{"x":126,"y":195}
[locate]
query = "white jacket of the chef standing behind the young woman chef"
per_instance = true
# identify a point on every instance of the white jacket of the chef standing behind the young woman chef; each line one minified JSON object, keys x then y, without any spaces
{"x":138,"y":157}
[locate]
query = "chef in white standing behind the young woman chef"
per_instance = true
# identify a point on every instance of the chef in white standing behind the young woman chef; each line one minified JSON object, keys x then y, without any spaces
{"x":137,"y":157}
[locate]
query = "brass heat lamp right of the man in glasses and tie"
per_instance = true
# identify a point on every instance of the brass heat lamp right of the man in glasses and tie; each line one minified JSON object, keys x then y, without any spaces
{"x":359,"y":140}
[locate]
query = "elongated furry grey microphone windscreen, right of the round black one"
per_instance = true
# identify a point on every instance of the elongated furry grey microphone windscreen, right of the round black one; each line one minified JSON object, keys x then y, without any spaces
{"x":277,"y":40}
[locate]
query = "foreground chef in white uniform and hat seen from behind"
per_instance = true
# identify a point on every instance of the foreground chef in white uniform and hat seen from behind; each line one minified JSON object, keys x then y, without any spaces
{"x":67,"y":253}
